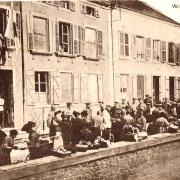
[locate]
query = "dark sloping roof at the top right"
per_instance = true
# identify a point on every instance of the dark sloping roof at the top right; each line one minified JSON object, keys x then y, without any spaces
{"x":143,"y":8}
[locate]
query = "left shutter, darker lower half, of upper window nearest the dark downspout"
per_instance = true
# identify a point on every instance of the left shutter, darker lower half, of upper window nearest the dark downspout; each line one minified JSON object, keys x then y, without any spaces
{"x":30,"y":31}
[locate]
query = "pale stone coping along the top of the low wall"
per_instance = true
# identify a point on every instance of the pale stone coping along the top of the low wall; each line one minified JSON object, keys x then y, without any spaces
{"x":50,"y":163}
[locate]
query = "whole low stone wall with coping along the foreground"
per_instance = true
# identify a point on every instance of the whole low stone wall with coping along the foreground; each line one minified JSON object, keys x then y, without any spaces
{"x":157,"y":157}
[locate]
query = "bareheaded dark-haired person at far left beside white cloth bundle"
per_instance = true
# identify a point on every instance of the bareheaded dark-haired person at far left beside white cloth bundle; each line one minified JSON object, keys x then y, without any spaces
{"x":7,"y":146}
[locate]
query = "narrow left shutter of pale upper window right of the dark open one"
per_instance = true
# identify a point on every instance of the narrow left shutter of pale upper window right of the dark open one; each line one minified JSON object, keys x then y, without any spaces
{"x":81,"y":34}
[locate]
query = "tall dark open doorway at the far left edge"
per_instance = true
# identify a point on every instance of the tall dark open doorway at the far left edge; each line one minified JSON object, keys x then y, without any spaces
{"x":6,"y":93}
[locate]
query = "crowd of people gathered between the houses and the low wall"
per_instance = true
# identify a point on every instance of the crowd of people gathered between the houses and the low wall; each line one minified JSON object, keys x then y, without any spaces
{"x":70,"y":129}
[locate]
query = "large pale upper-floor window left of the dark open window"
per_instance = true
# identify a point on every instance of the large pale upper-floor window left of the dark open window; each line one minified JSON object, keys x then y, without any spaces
{"x":40,"y":34}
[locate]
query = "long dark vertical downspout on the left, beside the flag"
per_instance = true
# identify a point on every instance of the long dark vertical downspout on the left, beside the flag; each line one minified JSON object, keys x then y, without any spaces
{"x":22,"y":56}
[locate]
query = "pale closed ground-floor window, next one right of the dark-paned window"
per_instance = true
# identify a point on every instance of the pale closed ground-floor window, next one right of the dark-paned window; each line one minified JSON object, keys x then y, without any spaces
{"x":66,"y":87}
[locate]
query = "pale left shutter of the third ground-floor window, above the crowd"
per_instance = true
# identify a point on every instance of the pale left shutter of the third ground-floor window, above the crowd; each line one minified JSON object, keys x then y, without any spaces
{"x":84,"y":87}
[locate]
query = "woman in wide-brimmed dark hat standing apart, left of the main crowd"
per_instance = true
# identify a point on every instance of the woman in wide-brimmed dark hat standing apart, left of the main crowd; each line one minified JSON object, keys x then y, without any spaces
{"x":33,"y":140}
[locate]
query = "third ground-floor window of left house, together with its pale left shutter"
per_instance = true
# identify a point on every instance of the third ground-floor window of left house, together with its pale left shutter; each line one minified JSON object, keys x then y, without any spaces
{"x":89,"y":87}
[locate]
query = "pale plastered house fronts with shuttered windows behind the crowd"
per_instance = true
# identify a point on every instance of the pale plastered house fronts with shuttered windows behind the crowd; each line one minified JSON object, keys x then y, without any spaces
{"x":84,"y":51}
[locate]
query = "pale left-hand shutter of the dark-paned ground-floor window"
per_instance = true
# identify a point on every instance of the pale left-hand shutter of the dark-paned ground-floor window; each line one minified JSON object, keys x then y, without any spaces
{"x":30,"y":88}
